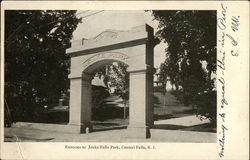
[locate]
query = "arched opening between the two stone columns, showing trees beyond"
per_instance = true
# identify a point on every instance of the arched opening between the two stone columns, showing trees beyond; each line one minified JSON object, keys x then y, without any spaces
{"x":109,"y":94}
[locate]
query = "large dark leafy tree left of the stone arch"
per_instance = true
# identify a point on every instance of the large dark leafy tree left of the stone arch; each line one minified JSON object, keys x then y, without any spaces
{"x":36,"y":66}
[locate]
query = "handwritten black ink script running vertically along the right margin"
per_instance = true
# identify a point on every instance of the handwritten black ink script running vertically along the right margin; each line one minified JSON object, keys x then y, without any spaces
{"x":228,"y":45}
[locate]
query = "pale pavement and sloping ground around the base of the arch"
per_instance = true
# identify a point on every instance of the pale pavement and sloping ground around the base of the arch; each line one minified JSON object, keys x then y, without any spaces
{"x":174,"y":122}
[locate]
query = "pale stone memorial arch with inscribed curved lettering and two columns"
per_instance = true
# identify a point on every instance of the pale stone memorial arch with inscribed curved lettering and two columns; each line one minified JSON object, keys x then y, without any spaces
{"x":134,"y":48}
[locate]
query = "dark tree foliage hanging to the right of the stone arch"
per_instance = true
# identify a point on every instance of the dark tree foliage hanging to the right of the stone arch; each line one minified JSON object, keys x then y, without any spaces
{"x":191,"y":41}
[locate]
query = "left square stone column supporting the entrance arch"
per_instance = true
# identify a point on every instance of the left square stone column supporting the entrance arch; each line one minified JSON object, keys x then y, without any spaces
{"x":80,"y":104}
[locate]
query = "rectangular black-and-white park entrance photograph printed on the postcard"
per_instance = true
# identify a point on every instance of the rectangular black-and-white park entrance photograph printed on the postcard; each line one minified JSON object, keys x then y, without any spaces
{"x":85,"y":75}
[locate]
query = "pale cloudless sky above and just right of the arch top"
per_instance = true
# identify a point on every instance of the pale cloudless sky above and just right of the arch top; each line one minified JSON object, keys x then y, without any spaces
{"x":95,"y":22}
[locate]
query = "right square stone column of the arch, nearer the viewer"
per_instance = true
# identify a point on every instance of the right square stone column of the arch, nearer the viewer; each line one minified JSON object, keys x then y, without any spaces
{"x":140,"y":102}
